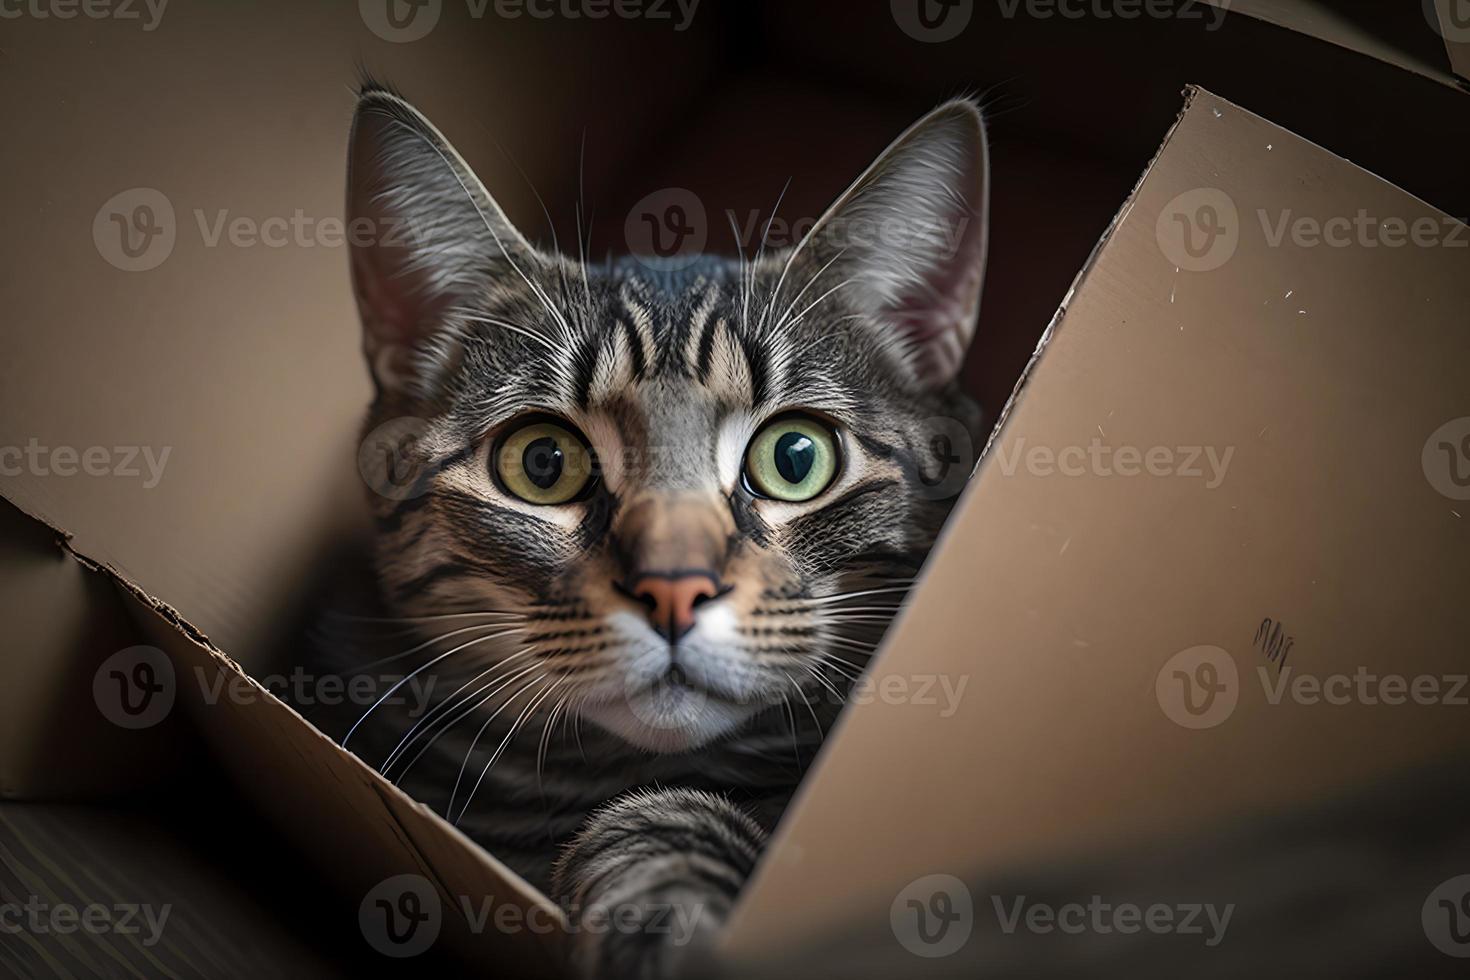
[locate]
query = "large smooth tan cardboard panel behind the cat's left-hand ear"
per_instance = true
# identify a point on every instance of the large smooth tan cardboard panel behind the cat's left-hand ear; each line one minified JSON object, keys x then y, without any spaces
{"x":236,"y":356}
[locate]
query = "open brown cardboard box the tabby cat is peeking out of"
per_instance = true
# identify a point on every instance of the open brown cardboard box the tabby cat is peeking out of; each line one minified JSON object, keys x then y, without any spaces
{"x":1090,"y":586}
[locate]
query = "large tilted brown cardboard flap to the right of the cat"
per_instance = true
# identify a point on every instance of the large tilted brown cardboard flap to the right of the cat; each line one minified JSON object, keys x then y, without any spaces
{"x":1065,"y":599}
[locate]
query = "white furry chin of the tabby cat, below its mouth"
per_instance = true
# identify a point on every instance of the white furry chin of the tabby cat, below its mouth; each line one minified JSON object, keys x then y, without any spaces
{"x":668,"y":719}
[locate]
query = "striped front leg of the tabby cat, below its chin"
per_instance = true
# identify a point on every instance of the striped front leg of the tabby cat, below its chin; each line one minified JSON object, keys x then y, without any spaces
{"x":650,"y":881}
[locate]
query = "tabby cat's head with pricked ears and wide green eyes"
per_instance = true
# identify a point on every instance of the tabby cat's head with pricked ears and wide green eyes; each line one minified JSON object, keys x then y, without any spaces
{"x":680,"y":497}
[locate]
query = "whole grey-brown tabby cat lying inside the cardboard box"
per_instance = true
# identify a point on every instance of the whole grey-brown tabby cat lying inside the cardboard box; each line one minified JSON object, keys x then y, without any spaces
{"x":662,"y":515}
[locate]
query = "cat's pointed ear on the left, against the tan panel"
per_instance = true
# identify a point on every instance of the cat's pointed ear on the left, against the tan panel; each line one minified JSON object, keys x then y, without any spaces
{"x":427,"y":240}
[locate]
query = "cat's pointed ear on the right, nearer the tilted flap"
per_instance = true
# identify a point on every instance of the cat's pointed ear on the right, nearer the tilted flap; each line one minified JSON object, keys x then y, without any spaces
{"x":908,"y":239}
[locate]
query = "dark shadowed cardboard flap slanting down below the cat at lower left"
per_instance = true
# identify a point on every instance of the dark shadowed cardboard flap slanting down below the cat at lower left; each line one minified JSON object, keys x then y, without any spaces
{"x":352,"y":824}
